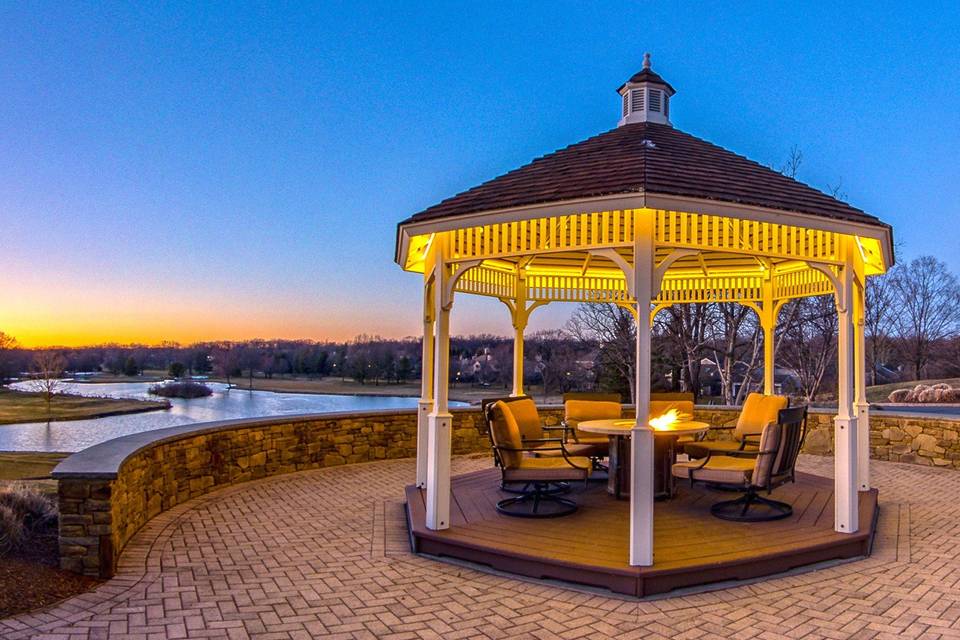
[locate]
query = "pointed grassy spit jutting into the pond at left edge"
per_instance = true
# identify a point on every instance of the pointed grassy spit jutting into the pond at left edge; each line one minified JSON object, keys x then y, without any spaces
{"x":20,"y":406}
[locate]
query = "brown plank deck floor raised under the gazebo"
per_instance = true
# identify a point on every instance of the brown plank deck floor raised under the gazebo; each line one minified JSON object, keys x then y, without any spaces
{"x":590,"y":547}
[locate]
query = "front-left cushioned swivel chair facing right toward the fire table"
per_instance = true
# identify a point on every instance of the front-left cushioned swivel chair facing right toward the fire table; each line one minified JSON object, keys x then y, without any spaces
{"x":539,"y":497}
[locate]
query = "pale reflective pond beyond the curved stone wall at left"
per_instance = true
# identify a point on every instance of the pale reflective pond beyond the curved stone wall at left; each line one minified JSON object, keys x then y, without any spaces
{"x":224,"y":404}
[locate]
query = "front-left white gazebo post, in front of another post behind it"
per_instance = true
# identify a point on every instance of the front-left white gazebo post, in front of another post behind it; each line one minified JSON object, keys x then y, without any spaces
{"x":439,"y":422}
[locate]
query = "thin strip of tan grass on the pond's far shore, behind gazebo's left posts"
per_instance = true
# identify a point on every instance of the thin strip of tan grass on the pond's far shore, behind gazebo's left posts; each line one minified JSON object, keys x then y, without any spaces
{"x":462,"y":392}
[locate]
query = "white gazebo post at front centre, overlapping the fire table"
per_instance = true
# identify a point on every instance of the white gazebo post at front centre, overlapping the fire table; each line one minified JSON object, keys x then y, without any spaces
{"x":641,"y":441}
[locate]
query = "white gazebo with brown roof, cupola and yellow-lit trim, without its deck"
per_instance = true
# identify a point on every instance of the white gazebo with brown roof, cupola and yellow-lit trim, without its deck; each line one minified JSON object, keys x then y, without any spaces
{"x":645,"y":216}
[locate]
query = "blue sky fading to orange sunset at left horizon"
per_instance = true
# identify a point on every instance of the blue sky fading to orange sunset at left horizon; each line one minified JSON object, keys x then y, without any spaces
{"x":188,"y":172}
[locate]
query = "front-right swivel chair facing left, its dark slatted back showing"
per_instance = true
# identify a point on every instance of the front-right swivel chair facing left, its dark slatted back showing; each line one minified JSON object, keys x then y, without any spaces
{"x":772,"y":465}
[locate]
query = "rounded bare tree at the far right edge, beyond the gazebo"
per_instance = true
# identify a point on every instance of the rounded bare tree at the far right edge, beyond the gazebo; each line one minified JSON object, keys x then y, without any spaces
{"x":928,"y":296}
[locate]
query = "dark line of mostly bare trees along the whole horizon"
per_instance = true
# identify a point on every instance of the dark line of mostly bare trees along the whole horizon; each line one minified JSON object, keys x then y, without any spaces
{"x":912,"y":329}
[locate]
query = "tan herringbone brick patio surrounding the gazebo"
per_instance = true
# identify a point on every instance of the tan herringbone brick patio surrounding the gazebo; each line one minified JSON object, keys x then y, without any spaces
{"x":322,"y":554}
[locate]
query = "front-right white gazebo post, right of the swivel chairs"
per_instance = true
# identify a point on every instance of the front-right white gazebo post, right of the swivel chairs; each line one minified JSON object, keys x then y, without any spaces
{"x":846,"y":501}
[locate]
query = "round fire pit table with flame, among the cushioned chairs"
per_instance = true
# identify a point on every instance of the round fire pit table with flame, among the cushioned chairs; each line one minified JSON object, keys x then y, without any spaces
{"x":664,"y":452}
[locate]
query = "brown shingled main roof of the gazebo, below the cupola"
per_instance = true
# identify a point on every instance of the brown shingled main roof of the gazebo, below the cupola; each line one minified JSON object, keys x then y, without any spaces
{"x":645,"y":157}
